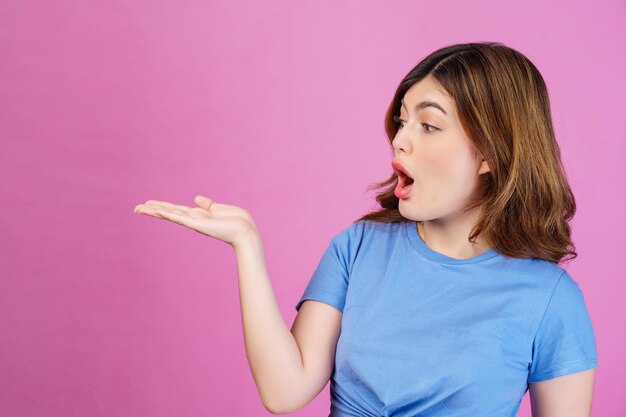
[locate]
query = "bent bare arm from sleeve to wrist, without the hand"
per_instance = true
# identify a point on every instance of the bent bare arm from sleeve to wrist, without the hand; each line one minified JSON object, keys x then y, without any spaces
{"x":290,"y":367}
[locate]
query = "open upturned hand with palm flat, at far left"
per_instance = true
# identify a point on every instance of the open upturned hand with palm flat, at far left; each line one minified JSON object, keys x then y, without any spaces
{"x":224,"y":222}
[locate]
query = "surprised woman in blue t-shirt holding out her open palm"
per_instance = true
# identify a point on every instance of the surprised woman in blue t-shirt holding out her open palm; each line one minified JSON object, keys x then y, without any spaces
{"x":448,"y":300}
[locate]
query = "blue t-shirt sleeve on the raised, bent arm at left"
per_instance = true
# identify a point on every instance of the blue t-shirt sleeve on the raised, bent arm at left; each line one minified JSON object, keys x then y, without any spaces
{"x":329,"y":282}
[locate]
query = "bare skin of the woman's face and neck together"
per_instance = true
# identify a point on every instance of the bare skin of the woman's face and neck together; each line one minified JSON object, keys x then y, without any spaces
{"x":446,"y":168}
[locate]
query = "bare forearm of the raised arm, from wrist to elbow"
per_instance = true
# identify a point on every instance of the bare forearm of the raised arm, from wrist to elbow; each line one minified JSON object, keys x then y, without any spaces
{"x":272,"y":351}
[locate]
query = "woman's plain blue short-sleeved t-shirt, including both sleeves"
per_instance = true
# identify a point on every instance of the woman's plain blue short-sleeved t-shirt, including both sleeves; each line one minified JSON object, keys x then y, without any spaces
{"x":424,"y":334}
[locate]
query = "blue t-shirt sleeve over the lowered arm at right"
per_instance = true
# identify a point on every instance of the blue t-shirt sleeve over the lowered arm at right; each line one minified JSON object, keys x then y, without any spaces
{"x":565,"y":342}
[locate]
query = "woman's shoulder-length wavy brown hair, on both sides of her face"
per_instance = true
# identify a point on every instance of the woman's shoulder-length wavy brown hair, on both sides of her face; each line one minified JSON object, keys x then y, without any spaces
{"x":502,"y":103}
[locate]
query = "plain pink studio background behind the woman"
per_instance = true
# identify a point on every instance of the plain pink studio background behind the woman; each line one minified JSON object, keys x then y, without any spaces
{"x":274,"y":106}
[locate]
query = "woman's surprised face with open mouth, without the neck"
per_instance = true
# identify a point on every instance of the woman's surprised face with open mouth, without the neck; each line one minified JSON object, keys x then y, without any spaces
{"x":433,"y":147}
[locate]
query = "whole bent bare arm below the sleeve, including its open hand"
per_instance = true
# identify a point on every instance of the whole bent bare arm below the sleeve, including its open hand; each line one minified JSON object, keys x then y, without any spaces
{"x":289,"y":367}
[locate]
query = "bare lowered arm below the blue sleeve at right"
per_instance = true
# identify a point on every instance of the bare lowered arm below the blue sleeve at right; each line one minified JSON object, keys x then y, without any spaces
{"x":565,"y":396}
